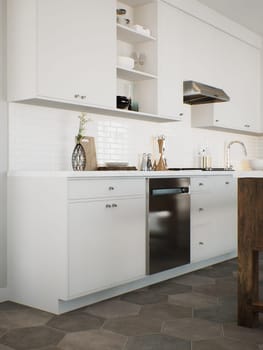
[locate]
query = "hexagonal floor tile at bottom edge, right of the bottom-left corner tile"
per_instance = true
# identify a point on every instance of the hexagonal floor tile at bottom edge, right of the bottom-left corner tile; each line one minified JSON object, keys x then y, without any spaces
{"x":93,"y":340}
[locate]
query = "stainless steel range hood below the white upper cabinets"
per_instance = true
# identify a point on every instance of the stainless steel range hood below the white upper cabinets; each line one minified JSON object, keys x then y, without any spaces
{"x":197,"y":93}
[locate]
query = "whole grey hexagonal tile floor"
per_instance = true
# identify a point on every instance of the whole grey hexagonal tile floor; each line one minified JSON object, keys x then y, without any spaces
{"x":197,"y":311}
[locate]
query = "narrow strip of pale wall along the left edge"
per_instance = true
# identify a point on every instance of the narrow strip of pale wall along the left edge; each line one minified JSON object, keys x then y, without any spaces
{"x":3,"y":155}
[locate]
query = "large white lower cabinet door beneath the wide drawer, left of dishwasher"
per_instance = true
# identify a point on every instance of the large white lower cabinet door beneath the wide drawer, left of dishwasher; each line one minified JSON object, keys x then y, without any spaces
{"x":106,"y":243}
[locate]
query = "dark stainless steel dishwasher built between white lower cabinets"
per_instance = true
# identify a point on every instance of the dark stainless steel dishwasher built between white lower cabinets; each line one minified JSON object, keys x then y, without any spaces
{"x":168,"y":231}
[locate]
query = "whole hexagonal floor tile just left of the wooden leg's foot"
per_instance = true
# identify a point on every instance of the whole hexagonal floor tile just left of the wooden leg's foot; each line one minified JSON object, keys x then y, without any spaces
{"x":192,"y":329}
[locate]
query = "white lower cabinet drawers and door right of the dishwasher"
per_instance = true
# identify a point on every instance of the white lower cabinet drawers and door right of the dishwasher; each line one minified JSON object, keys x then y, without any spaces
{"x":213,"y":217}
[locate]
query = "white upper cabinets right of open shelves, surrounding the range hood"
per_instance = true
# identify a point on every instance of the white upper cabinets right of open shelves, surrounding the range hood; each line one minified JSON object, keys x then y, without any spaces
{"x":190,"y":49}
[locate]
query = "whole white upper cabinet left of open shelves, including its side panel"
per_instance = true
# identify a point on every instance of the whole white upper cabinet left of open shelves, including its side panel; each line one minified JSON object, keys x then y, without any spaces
{"x":63,"y":50}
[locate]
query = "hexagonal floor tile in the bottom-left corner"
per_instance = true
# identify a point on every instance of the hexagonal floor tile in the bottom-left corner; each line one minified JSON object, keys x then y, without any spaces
{"x":31,"y":338}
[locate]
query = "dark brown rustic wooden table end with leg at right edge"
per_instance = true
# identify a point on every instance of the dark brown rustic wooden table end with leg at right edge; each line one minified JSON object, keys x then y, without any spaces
{"x":250,"y":244}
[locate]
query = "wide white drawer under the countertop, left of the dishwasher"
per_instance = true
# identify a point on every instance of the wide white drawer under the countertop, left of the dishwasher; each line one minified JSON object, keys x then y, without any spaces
{"x":103,"y":188}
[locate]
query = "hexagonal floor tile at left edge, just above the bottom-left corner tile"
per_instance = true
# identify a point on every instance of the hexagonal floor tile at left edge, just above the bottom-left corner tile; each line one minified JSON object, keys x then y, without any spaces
{"x":24,"y":317}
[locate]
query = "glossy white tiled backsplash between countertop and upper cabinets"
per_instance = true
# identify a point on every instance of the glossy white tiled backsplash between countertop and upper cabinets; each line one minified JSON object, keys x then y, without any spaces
{"x":43,"y":139}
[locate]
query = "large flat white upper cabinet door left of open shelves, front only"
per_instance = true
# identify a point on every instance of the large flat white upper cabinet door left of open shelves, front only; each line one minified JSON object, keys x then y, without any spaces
{"x":76,"y":50}
